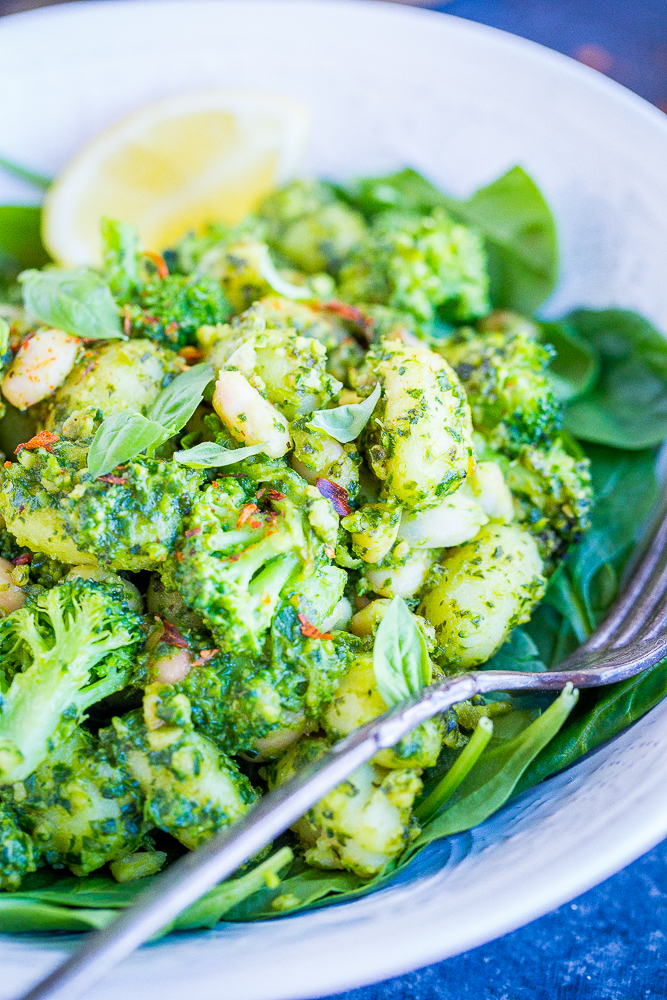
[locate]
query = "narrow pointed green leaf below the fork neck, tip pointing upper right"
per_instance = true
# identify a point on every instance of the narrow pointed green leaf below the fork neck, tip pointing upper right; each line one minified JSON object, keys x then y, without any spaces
{"x":493,"y":779}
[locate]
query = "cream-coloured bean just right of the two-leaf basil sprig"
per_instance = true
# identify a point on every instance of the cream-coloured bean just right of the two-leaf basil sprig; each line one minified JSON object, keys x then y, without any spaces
{"x":249,"y":417}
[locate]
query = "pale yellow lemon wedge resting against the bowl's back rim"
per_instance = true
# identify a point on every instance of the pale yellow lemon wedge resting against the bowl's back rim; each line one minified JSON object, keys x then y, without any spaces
{"x":173,"y":167}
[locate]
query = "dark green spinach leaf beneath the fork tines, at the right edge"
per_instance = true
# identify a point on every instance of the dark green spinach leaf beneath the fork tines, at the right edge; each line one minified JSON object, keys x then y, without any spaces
{"x":618,"y":706}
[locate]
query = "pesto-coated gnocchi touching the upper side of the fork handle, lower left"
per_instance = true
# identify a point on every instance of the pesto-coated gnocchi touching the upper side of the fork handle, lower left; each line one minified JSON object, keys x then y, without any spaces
{"x":192,"y":788}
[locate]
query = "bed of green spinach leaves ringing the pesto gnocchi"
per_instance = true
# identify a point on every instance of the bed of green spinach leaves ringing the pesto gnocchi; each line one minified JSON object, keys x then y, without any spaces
{"x":611,"y":369}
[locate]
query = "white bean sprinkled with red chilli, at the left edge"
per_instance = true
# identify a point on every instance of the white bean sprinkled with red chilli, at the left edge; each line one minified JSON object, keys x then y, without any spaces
{"x":42,"y":363}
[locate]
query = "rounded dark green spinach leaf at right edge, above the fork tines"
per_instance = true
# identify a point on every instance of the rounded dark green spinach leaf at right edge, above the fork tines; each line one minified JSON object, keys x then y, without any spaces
{"x":627,"y":405}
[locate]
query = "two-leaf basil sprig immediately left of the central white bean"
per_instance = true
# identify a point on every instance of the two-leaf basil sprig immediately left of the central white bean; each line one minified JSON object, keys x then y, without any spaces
{"x":123,"y":436}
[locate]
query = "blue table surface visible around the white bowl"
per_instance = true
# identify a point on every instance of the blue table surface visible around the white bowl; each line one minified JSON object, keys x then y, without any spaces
{"x":611,"y":943}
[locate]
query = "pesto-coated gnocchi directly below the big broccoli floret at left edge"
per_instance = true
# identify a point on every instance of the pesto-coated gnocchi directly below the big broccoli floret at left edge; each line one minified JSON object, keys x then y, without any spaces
{"x":81,"y":809}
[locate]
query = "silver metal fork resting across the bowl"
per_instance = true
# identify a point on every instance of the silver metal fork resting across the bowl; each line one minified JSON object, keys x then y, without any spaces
{"x":631,"y":639}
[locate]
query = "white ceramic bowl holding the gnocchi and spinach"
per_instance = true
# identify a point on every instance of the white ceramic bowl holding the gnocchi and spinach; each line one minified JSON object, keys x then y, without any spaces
{"x":388,"y":87}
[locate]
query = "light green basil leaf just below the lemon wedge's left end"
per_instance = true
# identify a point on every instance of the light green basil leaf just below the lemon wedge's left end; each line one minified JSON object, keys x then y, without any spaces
{"x":77,"y":301}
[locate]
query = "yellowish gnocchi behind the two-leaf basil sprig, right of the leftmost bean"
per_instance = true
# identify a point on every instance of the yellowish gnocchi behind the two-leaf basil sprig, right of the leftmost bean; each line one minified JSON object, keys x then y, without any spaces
{"x":112,"y":378}
